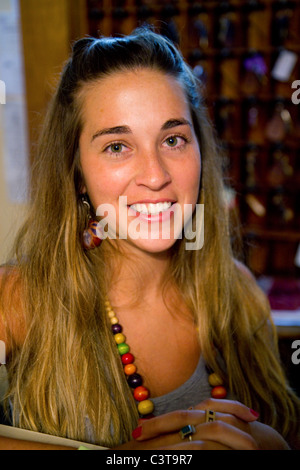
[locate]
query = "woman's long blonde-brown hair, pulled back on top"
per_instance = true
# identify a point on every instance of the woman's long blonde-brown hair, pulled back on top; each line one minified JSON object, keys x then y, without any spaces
{"x":66,"y":377}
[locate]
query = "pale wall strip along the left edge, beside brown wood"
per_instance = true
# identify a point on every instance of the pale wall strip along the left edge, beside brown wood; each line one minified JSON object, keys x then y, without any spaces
{"x":13,"y":127}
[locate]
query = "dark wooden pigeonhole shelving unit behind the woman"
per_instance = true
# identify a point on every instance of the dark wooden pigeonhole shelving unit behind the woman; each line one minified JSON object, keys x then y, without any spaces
{"x":233,"y":47}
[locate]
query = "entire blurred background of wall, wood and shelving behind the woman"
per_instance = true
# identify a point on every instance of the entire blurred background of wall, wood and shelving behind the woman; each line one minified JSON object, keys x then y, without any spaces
{"x":246,"y":54}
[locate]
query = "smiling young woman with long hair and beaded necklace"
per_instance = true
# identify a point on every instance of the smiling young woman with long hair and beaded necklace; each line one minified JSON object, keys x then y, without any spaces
{"x":127,"y":141}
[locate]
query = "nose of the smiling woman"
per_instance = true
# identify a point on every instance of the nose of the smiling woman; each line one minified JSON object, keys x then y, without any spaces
{"x":152,"y":171}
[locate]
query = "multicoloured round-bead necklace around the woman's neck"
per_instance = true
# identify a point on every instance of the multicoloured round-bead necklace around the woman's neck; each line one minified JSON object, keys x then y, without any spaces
{"x":141,"y":394}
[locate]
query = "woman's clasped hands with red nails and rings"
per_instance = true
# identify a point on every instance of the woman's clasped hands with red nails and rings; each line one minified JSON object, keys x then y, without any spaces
{"x":230,"y":430}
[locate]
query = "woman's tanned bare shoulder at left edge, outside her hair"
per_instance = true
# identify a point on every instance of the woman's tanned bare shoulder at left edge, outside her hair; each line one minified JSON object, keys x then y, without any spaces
{"x":11,"y":311}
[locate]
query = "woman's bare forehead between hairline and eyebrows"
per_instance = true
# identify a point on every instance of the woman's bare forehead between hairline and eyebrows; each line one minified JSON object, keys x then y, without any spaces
{"x":135,"y":91}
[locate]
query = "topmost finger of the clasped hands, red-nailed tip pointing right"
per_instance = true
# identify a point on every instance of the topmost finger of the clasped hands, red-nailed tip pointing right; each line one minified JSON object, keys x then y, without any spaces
{"x":229,"y":407}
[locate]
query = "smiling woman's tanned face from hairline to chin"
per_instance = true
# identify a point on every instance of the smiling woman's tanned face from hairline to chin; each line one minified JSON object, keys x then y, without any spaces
{"x":139,"y":156}
